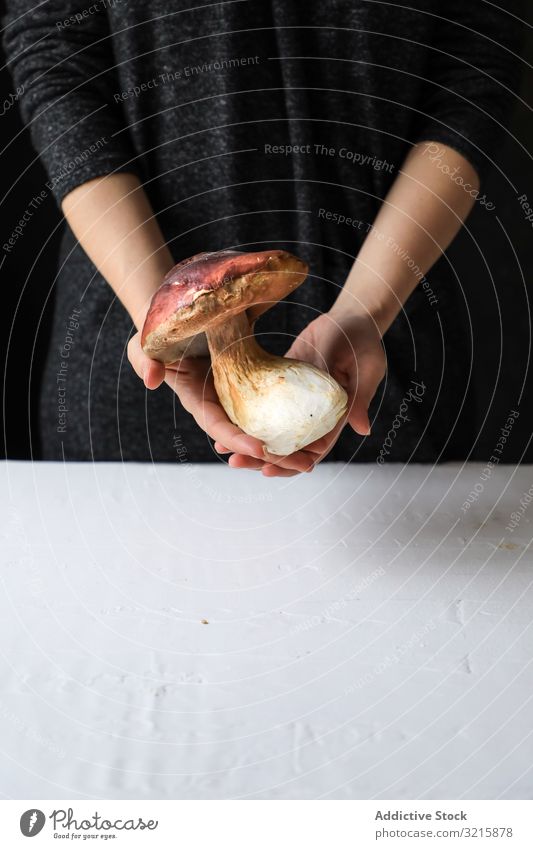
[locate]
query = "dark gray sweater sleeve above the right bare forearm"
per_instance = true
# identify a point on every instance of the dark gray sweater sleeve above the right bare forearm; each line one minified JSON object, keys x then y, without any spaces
{"x":473,"y":70}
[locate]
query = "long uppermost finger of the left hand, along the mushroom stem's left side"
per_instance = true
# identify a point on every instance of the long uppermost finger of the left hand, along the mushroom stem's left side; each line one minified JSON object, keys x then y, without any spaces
{"x":210,"y":416}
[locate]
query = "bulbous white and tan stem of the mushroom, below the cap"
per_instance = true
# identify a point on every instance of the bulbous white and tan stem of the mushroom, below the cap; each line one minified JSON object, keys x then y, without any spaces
{"x":285,"y":403}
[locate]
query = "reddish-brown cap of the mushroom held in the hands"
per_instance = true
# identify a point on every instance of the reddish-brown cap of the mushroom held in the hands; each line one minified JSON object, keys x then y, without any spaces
{"x":208,"y":288}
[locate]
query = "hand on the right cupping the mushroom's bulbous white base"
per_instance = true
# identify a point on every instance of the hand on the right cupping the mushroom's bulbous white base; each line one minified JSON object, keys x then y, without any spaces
{"x":348,"y":345}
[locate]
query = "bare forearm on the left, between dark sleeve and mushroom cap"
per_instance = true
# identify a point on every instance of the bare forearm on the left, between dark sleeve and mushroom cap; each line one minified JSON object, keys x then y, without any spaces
{"x":114,"y":223}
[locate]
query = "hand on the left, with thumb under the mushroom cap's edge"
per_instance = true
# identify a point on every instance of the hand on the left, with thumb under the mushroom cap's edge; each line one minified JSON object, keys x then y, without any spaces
{"x":192,"y":380}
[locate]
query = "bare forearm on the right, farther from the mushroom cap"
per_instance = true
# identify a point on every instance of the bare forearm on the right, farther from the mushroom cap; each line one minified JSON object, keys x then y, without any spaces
{"x":423,"y":211}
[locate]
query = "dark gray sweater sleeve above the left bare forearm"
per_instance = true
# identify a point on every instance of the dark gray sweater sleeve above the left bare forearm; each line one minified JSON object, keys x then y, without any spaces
{"x":60,"y":57}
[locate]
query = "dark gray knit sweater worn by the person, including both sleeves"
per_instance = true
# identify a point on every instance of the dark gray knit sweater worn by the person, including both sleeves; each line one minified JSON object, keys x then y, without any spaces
{"x":254,"y":123}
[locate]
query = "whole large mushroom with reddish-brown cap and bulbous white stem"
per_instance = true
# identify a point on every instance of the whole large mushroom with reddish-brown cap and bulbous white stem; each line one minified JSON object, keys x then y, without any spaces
{"x":285,"y":403}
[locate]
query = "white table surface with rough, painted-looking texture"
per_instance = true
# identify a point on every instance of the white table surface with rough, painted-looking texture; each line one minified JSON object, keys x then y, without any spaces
{"x":363,"y":636}
